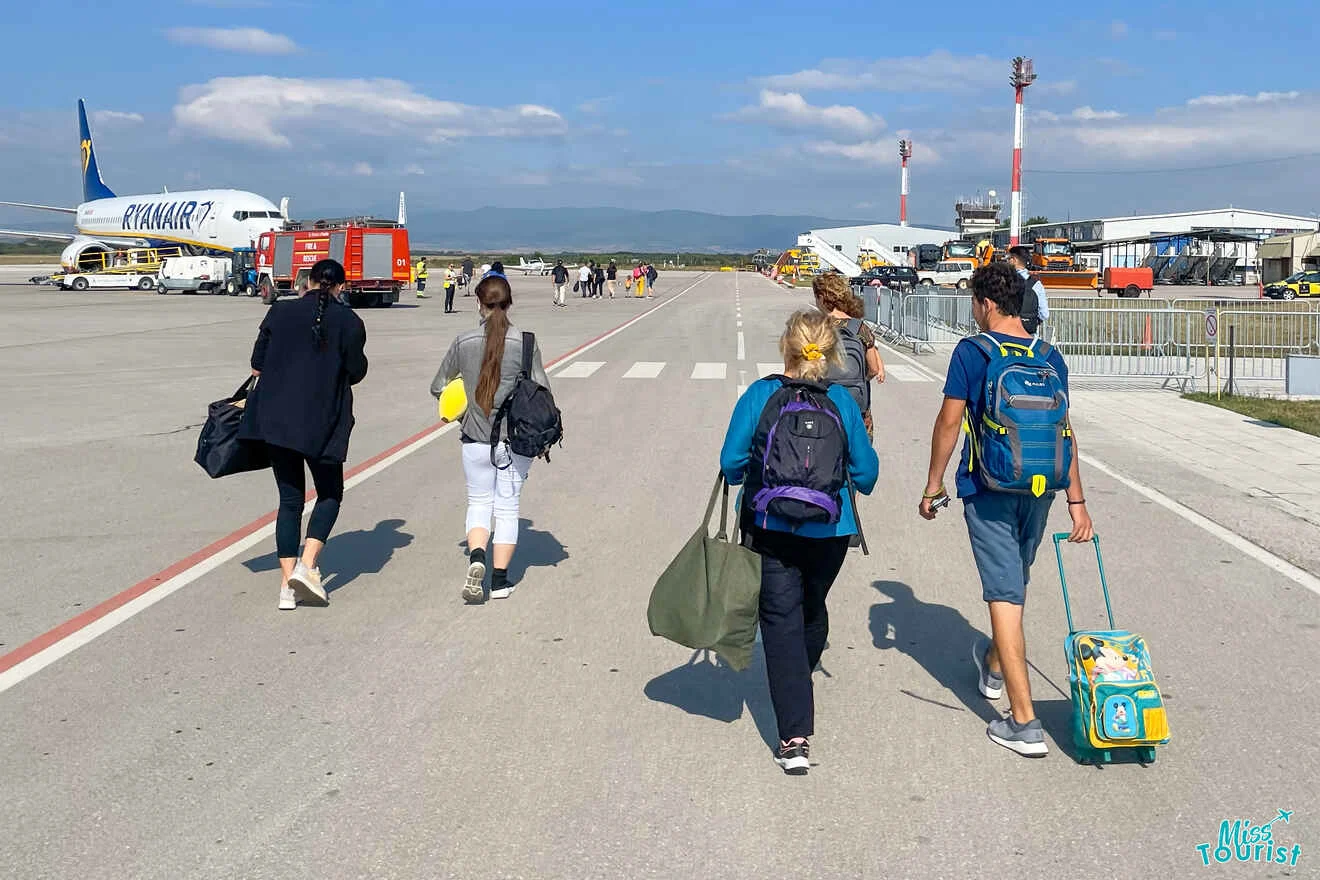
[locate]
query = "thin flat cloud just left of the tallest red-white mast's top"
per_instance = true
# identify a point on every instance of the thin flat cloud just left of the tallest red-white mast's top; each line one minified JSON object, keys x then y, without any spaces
{"x":939,"y":72}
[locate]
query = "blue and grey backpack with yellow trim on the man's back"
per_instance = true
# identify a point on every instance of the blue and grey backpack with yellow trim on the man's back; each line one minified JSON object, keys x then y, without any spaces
{"x":1024,"y":444}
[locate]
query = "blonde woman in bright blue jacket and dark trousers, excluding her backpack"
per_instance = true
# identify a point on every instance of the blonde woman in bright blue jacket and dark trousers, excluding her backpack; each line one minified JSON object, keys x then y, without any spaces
{"x":799,"y":560}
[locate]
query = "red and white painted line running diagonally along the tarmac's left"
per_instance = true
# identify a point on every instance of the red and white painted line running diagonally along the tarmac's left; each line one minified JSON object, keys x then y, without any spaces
{"x":48,"y":648}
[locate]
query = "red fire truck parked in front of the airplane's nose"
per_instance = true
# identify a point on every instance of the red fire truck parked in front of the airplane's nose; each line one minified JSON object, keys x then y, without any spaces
{"x":374,"y":255}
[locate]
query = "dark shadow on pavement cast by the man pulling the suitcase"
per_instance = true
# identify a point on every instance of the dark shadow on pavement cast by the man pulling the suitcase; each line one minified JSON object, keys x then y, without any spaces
{"x":939,"y":639}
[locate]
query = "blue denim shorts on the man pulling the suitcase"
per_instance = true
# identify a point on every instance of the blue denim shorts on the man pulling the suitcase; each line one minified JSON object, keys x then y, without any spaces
{"x":1006,"y":532}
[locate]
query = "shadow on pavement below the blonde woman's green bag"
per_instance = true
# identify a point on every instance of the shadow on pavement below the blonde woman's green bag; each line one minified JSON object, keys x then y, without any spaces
{"x":708,"y":688}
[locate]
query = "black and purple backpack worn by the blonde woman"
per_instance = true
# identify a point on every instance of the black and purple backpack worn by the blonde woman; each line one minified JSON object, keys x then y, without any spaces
{"x":799,"y":457}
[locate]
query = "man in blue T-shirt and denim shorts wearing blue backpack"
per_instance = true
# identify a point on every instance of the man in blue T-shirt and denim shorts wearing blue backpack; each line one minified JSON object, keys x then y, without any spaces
{"x":1008,"y":393}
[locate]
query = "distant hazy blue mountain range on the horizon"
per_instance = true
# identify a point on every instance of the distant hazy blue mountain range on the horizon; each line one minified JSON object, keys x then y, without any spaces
{"x":607,"y":230}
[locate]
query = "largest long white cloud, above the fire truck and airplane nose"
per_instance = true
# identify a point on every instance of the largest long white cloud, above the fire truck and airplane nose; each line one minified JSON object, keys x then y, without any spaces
{"x":271,"y":111}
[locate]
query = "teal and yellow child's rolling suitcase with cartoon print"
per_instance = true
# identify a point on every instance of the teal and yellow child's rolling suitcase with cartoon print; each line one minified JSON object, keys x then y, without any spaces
{"x":1116,"y":701}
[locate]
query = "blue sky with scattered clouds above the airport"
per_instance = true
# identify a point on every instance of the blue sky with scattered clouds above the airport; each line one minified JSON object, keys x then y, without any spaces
{"x":733,"y":109}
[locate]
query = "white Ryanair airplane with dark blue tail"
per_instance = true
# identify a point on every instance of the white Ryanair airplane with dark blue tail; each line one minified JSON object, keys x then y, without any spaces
{"x":201,"y":222}
